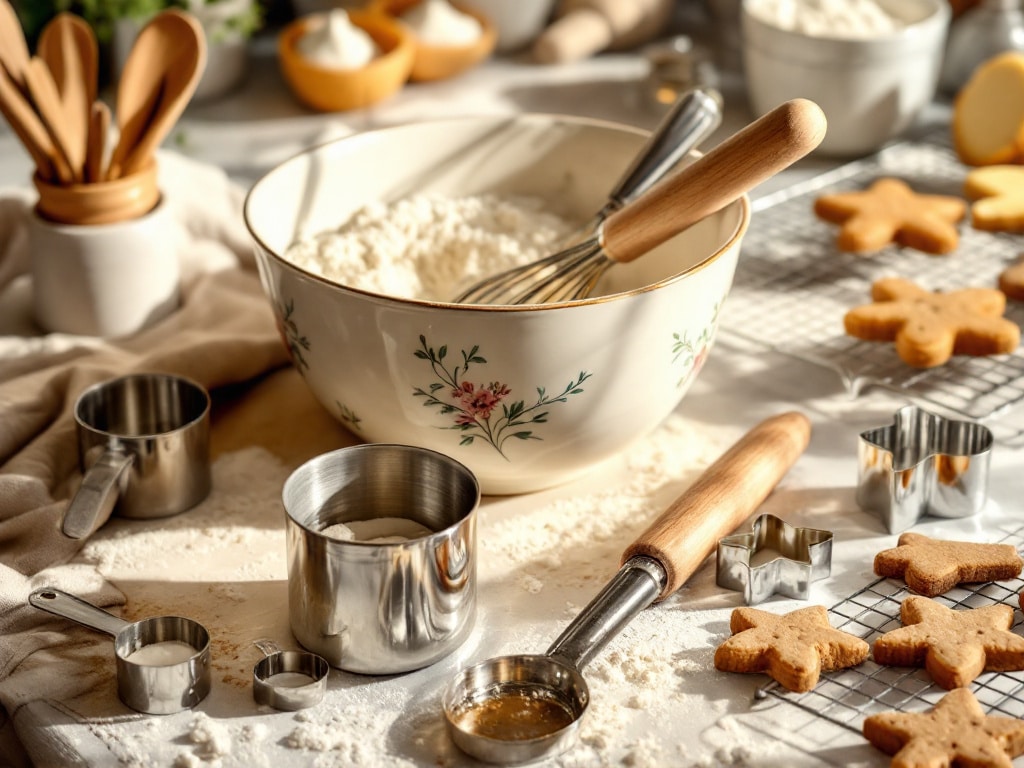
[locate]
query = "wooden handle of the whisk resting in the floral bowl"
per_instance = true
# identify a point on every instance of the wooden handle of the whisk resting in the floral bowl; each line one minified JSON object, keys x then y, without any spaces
{"x":754,"y":154}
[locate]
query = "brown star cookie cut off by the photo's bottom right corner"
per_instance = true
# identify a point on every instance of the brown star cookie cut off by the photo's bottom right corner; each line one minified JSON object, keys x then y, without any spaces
{"x":957,"y":732}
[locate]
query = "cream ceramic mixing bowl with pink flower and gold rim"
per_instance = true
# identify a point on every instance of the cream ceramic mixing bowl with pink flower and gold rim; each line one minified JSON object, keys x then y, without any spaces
{"x":526,"y":397}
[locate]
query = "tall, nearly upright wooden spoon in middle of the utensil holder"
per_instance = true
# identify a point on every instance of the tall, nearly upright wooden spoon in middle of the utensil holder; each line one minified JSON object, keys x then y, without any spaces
{"x":70,"y":50}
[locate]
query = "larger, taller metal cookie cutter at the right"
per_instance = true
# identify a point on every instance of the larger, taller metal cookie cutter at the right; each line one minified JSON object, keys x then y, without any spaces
{"x":923,"y":464}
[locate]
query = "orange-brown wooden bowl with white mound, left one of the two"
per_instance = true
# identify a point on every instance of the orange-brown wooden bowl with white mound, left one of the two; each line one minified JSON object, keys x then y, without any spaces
{"x":329,"y":90}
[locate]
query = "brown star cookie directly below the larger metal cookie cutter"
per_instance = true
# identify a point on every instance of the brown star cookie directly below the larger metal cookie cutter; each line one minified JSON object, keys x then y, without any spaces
{"x":931,"y":567}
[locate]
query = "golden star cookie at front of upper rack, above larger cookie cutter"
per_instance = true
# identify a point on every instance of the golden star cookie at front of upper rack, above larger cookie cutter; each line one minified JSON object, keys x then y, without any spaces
{"x":930,"y":328}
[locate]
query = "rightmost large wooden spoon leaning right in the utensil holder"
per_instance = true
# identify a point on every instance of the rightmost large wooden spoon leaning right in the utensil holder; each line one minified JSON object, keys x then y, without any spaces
{"x":160,"y":76}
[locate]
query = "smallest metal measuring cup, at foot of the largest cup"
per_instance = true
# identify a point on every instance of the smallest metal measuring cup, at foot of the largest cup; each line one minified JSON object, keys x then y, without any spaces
{"x":289,"y":679}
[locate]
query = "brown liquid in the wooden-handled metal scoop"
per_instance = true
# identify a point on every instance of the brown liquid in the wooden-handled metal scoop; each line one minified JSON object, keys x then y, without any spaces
{"x":515,"y":716}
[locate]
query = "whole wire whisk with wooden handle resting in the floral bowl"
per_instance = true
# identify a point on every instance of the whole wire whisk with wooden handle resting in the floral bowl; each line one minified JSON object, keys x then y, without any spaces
{"x":752,"y":155}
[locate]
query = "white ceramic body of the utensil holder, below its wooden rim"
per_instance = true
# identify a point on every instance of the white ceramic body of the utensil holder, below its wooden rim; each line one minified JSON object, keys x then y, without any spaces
{"x":105,"y":280}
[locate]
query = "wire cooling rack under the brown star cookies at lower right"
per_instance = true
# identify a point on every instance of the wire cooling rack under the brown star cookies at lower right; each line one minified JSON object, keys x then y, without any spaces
{"x":843,"y":699}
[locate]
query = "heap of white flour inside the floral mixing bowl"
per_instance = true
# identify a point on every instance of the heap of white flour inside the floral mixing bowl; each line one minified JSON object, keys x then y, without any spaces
{"x":429,"y":247}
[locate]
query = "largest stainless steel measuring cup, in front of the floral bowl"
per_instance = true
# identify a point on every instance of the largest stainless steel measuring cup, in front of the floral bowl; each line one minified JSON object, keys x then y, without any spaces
{"x":390,"y":607}
